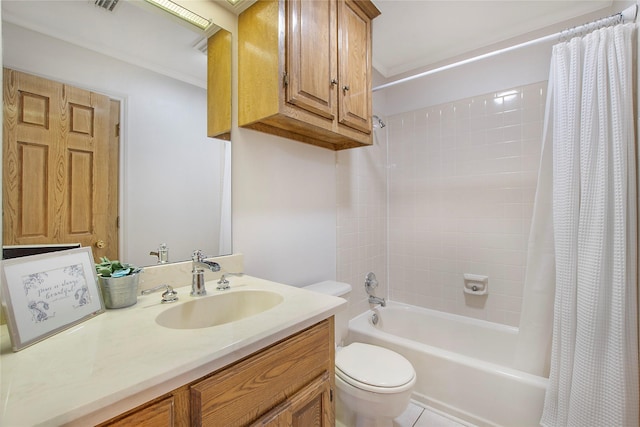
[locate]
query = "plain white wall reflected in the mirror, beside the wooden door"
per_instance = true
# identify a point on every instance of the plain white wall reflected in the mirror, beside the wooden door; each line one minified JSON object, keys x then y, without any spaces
{"x":170,"y":166}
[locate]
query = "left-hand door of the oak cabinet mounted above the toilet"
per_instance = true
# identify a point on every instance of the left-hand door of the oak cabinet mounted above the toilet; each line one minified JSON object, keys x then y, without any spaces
{"x":311,"y":56}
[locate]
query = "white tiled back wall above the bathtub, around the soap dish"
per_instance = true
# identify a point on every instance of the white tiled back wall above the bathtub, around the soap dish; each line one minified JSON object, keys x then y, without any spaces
{"x":461,"y":183}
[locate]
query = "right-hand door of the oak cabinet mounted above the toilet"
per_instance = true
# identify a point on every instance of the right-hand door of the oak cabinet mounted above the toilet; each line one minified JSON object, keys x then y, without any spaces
{"x":354,"y":37}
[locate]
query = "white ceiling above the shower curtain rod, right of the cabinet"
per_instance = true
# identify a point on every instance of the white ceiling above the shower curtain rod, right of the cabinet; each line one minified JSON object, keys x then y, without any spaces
{"x":413,"y":34}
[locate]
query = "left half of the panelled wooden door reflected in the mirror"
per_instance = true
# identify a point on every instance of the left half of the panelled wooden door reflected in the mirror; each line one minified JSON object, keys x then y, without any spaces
{"x":29,"y":131}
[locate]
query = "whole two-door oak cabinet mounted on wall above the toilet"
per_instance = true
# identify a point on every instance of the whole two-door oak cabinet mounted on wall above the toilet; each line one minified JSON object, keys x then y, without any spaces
{"x":304,"y":70}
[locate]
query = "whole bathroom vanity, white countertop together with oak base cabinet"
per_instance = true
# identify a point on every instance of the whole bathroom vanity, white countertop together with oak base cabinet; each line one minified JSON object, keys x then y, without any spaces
{"x":121,"y":367}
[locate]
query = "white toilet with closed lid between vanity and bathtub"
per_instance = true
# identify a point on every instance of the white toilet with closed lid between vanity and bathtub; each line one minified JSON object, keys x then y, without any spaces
{"x":374,"y":384}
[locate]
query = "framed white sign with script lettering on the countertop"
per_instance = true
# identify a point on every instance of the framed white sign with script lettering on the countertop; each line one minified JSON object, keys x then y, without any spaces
{"x":48,"y":293}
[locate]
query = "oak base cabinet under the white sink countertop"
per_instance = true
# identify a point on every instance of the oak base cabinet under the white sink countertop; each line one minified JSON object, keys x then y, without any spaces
{"x":290,"y":383}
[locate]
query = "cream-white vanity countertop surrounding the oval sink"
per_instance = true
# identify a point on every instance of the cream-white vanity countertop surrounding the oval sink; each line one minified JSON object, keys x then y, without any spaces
{"x":123,"y":358}
